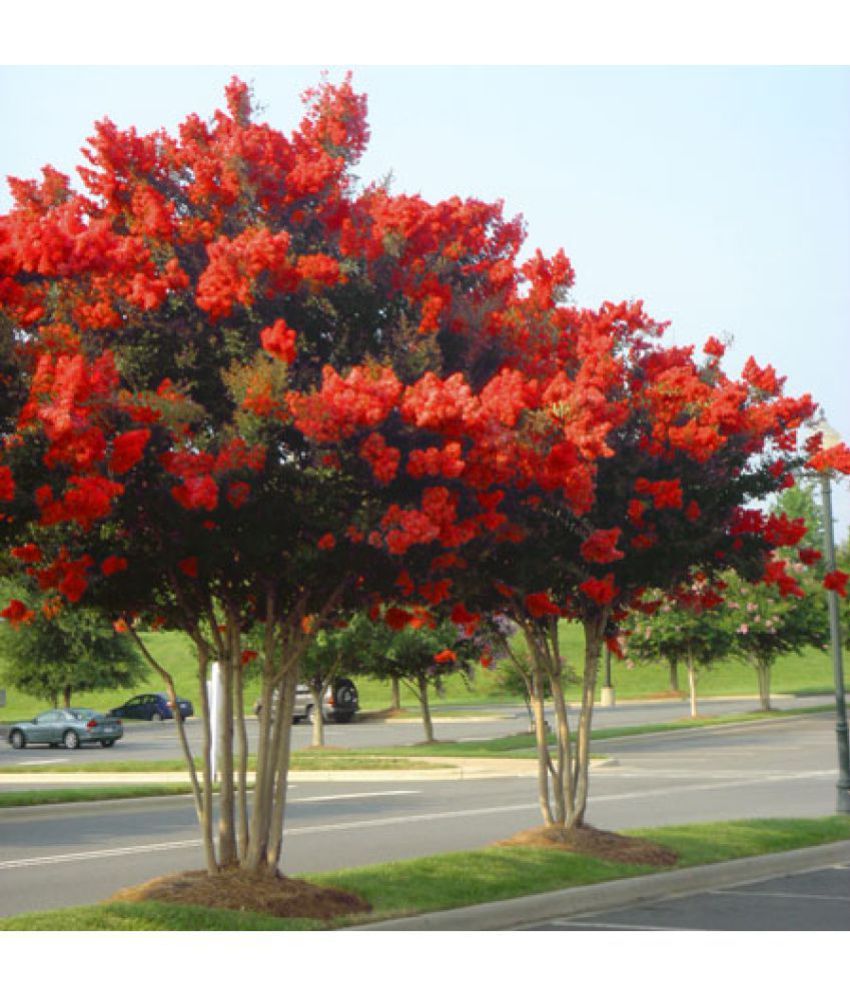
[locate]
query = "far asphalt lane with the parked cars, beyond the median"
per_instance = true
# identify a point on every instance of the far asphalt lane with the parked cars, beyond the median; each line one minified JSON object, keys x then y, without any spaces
{"x":158,"y":741}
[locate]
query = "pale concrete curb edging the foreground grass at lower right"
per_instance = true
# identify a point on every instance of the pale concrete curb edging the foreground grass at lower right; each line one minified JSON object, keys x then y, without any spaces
{"x":531,"y":909}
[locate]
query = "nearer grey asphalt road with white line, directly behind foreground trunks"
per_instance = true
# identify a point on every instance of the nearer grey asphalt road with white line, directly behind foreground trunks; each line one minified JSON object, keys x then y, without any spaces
{"x":58,"y":856}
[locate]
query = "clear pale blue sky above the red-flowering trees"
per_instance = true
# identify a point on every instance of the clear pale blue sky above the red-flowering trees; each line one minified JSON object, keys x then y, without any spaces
{"x":720,"y":196}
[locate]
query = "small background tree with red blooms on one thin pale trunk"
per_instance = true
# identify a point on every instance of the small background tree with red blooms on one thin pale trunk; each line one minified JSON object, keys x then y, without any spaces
{"x":688,"y":628}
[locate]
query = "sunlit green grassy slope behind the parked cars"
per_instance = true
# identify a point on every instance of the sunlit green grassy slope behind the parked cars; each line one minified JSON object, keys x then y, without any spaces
{"x":809,"y":673}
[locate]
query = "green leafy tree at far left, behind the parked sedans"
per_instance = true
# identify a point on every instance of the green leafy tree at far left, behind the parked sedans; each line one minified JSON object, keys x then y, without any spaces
{"x":62,"y":654}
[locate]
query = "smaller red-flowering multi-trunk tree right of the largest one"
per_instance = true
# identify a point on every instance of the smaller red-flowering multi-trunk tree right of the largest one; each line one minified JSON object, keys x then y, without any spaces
{"x":684,"y":449}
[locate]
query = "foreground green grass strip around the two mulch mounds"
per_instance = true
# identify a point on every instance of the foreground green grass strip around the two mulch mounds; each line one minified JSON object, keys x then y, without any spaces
{"x":455,"y":880}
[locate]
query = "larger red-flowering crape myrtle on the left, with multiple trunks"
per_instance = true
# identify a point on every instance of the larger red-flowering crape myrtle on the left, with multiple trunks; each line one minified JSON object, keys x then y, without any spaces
{"x":245,"y":392}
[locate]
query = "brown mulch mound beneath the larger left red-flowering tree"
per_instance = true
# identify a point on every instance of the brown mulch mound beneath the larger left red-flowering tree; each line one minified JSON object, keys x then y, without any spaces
{"x":245,"y":892}
